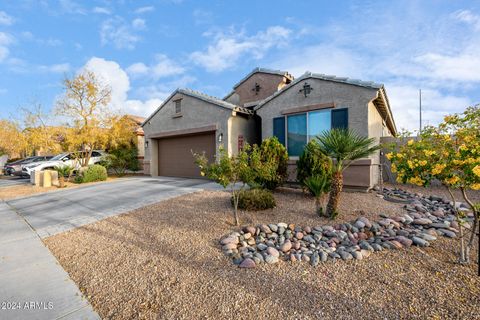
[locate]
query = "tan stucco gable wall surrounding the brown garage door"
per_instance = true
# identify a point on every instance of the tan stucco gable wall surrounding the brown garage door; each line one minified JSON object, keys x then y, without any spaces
{"x":196,"y":113}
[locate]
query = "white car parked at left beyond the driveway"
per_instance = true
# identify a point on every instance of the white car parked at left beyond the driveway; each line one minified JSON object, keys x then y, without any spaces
{"x":63,"y":159}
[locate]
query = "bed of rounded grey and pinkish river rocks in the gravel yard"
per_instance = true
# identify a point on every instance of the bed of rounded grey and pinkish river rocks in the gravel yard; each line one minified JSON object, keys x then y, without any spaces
{"x":425,"y":219}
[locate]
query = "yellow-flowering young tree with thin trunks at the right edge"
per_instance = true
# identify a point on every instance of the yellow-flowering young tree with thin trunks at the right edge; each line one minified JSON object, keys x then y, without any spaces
{"x":449,"y":153}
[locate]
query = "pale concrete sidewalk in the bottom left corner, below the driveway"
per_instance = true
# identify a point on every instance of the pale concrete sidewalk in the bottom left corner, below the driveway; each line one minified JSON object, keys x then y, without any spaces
{"x":32,"y":283}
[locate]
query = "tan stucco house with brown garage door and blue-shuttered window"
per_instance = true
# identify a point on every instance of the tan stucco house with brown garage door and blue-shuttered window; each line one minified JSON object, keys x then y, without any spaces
{"x":263,"y":104}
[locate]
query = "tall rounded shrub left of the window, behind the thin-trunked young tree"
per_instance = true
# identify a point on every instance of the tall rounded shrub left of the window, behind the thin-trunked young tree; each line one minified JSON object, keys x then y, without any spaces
{"x":271,"y":151}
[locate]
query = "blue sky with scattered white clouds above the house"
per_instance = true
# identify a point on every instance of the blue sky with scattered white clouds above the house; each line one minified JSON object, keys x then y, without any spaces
{"x":146,"y":49}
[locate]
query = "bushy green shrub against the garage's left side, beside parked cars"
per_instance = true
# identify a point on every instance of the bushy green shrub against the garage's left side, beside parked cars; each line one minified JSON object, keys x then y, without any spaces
{"x":122,"y":159}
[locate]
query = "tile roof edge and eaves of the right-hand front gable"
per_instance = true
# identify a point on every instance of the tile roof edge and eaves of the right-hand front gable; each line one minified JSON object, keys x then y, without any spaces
{"x":381,"y":101}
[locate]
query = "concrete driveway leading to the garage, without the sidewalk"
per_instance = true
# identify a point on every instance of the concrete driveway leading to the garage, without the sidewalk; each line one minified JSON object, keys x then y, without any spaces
{"x":55,"y":212}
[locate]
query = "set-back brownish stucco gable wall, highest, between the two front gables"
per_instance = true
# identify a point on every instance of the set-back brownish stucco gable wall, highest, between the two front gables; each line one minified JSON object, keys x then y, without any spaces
{"x":269,"y":83}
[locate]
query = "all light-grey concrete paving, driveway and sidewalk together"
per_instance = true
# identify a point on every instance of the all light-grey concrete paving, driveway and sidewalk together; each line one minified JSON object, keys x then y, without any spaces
{"x":32,"y":283}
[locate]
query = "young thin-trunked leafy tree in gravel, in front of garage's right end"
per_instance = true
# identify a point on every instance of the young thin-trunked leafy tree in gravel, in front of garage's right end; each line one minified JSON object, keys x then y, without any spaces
{"x":233,"y":172}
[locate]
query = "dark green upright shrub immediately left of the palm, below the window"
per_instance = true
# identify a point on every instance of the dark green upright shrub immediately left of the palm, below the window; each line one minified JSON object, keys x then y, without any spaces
{"x":312,"y":162}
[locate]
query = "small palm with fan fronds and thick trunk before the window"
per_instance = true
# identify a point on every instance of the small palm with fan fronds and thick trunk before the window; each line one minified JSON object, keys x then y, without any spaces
{"x":343,"y":146}
